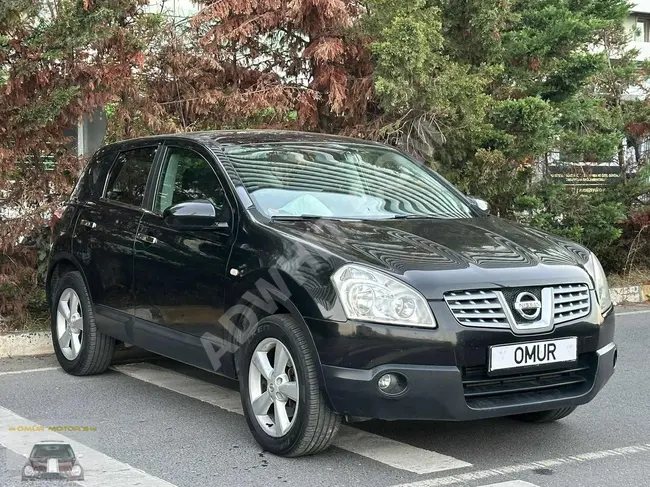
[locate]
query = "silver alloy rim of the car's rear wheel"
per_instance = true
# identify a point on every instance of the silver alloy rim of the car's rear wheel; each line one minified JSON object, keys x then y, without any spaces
{"x":69,"y":324}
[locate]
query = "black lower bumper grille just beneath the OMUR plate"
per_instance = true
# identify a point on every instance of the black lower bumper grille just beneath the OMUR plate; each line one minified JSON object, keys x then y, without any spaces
{"x":481,"y":390}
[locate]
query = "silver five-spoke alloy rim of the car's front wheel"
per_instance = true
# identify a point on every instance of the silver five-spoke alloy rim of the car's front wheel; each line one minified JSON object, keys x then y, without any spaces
{"x":273,"y":387}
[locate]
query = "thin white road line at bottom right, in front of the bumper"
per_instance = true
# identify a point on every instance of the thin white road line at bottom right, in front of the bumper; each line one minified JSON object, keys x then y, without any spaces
{"x":527,"y":467}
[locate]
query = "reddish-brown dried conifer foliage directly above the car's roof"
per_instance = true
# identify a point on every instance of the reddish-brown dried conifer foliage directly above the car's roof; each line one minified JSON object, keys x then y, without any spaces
{"x":278,"y":56}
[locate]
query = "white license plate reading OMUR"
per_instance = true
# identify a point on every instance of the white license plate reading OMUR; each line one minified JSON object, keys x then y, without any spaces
{"x":533,"y":353}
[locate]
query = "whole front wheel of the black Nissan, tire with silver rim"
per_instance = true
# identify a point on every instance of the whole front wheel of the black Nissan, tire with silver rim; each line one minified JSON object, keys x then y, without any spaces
{"x":313,"y":425}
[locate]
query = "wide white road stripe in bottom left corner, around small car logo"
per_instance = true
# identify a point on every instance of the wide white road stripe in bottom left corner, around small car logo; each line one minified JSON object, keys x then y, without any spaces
{"x":100,"y":470}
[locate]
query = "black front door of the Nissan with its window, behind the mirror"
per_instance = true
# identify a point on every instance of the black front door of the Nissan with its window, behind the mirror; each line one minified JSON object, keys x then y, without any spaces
{"x":180,"y":275}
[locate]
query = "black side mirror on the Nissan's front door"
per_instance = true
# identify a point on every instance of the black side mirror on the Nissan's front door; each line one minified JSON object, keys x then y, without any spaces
{"x":196,"y":215}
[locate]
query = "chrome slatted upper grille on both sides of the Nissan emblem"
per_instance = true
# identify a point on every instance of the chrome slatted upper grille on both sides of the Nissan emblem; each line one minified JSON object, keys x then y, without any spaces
{"x":488,"y":308}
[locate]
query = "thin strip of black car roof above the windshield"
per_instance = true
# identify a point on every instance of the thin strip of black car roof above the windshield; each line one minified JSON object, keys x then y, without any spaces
{"x":250,"y":137}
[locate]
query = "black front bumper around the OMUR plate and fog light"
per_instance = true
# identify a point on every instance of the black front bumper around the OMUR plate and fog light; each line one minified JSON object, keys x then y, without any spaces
{"x":464,"y":391}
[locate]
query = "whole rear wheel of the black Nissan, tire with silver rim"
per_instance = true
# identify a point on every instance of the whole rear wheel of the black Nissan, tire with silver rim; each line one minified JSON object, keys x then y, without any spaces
{"x":94,"y":354}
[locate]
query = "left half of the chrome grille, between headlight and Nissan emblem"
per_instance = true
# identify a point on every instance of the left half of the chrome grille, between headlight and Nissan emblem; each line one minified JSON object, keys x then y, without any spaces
{"x":477,"y":308}
